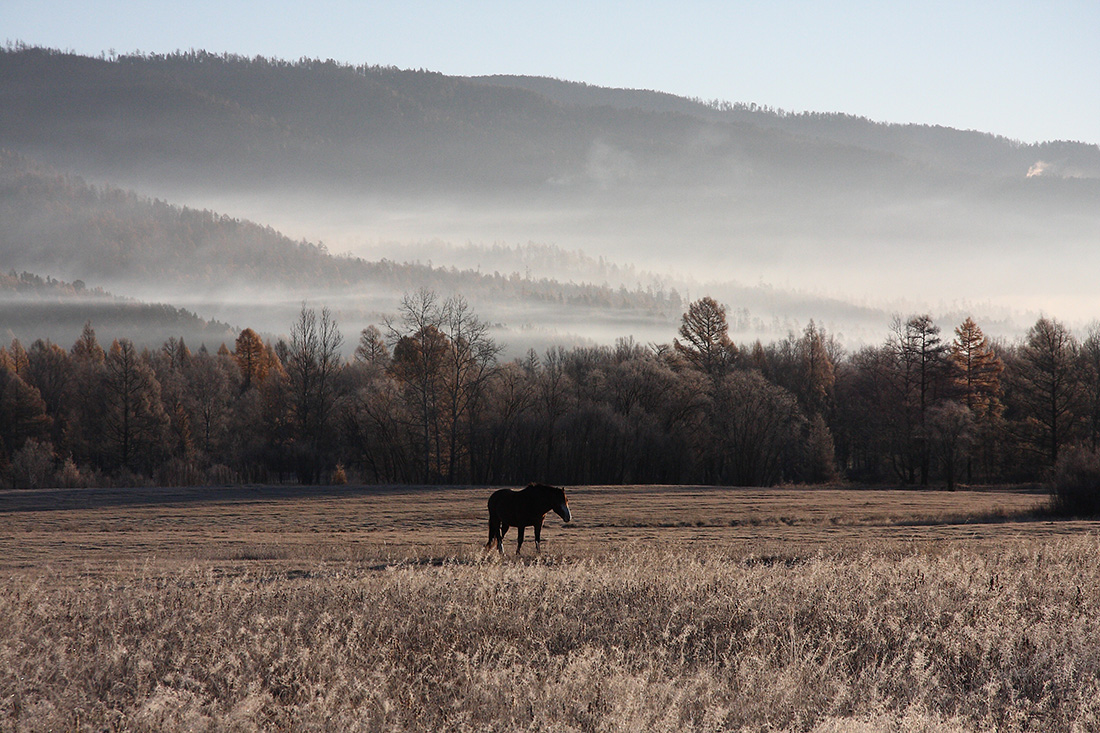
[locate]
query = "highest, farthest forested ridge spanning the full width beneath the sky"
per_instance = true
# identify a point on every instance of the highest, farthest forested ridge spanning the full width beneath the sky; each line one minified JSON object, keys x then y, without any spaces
{"x":200,"y":114}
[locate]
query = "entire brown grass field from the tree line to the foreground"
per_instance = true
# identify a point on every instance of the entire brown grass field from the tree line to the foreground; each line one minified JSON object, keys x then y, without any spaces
{"x":659,"y":608}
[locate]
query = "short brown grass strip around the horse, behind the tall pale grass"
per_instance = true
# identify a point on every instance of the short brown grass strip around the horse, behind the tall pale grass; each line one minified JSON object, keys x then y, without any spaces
{"x":84,"y":530}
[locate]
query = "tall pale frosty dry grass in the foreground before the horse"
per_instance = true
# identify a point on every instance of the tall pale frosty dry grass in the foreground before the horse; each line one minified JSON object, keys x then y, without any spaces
{"x":645,"y":639}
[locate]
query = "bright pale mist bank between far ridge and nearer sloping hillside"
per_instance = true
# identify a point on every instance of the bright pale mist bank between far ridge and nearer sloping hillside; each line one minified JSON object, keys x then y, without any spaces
{"x":848,"y":268}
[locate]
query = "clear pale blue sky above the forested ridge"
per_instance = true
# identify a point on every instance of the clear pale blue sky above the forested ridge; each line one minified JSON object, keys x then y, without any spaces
{"x":1026,"y":70}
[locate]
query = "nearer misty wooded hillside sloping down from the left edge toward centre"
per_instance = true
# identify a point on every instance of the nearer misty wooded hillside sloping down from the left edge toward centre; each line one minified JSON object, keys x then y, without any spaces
{"x":60,"y":224}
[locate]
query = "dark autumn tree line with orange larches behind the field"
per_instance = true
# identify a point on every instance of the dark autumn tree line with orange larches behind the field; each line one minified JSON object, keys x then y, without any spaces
{"x":427,"y":399}
